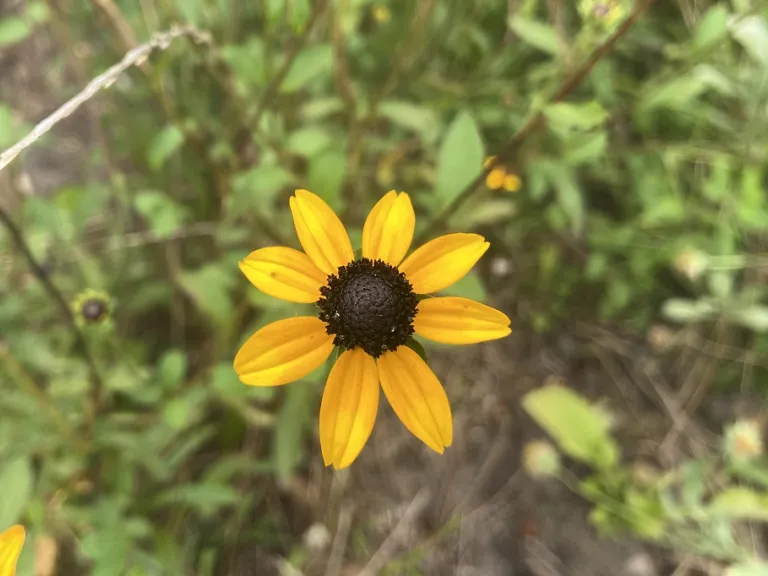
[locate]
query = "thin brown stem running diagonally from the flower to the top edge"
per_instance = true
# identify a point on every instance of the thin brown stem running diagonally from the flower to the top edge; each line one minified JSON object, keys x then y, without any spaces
{"x":537,"y":120}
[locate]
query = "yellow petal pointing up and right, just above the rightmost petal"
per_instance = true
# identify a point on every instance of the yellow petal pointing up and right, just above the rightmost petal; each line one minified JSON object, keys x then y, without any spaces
{"x":443,"y":261}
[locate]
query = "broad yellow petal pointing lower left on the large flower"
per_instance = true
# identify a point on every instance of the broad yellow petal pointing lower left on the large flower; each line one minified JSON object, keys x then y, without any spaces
{"x":283,"y":351}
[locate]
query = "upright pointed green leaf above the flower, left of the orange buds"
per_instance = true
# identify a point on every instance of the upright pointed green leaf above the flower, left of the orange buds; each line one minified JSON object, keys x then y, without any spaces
{"x":460,"y":159}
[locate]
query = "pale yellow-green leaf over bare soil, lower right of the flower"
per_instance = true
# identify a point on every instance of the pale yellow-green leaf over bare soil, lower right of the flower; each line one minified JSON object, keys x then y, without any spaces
{"x":580,"y":429}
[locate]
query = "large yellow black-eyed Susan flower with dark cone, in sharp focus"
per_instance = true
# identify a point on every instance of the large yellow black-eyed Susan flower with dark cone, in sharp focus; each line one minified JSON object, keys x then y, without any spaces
{"x":368,"y":307}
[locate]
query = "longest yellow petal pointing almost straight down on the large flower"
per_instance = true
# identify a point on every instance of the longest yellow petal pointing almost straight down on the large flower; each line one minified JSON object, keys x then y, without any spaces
{"x":348,"y":409}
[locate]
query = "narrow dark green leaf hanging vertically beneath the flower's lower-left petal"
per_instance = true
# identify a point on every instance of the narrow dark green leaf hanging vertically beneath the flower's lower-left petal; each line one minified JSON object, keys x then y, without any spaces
{"x":289,"y":431}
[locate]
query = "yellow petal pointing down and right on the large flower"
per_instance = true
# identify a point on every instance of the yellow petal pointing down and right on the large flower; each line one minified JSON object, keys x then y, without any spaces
{"x":417,"y":397}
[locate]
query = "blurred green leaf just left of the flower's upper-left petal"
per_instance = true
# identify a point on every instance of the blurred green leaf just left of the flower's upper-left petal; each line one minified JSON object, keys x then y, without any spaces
{"x":209,"y":288}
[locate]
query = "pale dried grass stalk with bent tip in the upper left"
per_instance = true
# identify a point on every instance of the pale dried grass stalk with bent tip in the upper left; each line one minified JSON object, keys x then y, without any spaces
{"x":159,"y":41}
